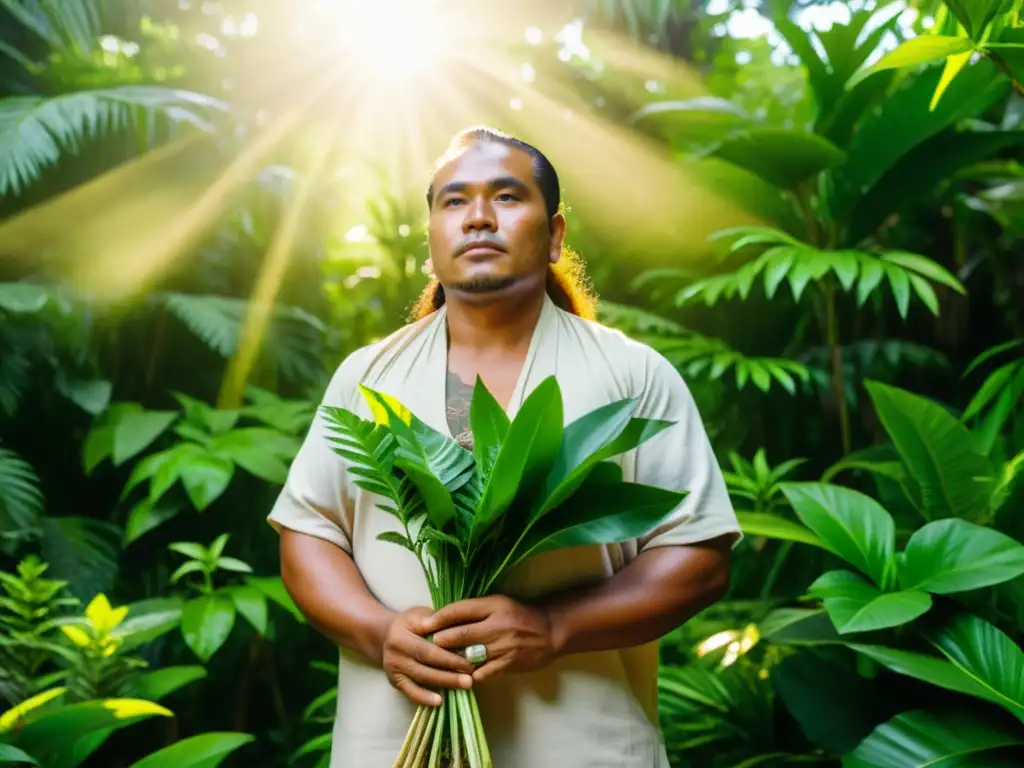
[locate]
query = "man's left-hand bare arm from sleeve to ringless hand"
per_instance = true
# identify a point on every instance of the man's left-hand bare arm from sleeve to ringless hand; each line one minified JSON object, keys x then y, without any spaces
{"x":329,"y":590}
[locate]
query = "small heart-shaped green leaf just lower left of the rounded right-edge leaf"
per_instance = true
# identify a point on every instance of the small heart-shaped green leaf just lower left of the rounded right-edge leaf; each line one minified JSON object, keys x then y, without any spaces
{"x":856,"y":606}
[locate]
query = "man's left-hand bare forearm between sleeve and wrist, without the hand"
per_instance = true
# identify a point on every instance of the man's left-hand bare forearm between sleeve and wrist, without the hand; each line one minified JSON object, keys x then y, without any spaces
{"x":328,"y":589}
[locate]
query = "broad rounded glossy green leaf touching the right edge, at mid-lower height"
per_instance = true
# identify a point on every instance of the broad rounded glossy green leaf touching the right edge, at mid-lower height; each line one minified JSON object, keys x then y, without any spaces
{"x":953,"y":556}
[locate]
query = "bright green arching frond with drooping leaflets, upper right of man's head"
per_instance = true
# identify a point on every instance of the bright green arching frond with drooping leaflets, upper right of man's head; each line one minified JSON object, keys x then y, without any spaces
{"x":799,"y":264}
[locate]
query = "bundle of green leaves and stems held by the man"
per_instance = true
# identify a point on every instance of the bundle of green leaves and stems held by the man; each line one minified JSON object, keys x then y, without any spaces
{"x":529,"y":486}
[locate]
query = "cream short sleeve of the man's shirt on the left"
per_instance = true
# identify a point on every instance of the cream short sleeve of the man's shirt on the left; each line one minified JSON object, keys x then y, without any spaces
{"x":316,"y":498}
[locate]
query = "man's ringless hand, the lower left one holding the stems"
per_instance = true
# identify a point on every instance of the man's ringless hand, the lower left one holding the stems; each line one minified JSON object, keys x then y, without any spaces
{"x":412,"y":662}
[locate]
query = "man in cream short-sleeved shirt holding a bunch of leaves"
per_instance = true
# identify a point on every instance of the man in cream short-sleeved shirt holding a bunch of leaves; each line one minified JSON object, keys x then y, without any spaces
{"x":571,"y":673}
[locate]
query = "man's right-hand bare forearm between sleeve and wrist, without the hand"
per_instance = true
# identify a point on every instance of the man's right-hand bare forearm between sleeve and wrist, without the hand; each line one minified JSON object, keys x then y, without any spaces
{"x":658,"y":592}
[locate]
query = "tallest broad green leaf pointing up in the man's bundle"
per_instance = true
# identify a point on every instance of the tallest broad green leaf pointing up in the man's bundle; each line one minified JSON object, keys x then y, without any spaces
{"x":533,"y":442}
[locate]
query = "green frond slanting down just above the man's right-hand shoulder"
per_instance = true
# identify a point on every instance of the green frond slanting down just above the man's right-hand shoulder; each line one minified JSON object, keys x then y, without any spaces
{"x":697,"y":356}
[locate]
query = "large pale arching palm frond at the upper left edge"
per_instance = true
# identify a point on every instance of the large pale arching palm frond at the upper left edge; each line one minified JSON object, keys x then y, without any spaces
{"x":34,"y":131}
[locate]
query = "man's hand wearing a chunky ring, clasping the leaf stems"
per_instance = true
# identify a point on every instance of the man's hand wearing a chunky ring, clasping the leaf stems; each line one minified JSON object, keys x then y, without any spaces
{"x":519,"y":638}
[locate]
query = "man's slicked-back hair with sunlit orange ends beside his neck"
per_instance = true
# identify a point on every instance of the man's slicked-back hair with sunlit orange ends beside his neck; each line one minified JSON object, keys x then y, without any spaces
{"x":568,"y":284}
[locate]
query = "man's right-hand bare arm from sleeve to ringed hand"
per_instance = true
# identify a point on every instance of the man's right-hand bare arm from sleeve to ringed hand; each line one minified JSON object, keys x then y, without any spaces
{"x":662,"y":589}
